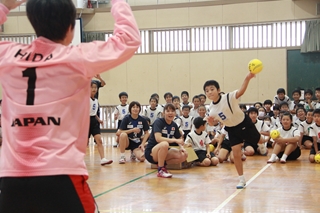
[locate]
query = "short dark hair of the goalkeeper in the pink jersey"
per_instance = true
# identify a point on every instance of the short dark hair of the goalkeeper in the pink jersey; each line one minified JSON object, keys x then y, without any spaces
{"x":51,"y":19}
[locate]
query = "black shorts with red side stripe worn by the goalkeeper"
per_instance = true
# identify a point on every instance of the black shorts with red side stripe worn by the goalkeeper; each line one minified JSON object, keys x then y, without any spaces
{"x":50,"y":194}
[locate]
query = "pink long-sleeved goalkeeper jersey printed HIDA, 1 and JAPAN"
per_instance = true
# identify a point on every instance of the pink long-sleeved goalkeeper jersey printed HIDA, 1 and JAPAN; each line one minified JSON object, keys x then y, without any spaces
{"x":45,"y":103}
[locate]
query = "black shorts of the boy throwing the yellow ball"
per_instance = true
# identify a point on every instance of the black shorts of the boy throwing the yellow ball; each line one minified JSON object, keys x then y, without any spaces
{"x":246,"y":131}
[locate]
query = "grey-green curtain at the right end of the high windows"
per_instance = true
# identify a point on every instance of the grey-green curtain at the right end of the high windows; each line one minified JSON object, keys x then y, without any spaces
{"x":311,"y":42}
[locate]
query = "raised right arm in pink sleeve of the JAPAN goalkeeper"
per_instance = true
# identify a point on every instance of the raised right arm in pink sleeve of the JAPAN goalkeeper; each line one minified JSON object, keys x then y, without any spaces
{"x":100,"y":56}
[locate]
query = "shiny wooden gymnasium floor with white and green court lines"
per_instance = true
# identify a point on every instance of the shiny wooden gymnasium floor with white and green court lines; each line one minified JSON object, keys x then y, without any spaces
{"x":134,"y":187}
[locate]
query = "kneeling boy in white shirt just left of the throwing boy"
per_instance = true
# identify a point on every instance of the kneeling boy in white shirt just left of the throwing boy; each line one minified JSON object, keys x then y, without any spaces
{"x":199,"y":140}
